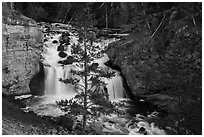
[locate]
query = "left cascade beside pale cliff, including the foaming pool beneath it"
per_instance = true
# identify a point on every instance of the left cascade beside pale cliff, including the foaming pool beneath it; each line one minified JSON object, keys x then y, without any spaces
{"x":55,"y":90}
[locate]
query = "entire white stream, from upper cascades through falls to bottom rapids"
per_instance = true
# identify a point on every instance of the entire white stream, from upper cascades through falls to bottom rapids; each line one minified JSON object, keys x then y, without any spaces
{"x":132,"y":122}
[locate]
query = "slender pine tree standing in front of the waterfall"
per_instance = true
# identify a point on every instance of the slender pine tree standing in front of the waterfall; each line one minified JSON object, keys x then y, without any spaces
{"x":92,"y":97}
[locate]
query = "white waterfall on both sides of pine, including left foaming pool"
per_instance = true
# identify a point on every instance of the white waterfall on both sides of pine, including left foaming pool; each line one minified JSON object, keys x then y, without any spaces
{"x":56,"y":90}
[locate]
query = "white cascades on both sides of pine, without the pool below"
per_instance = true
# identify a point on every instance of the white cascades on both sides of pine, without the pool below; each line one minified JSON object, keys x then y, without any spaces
{"x":54,"y":71}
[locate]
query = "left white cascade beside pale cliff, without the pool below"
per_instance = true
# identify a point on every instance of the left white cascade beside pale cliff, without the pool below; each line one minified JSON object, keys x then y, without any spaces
{"x":55,"y":71}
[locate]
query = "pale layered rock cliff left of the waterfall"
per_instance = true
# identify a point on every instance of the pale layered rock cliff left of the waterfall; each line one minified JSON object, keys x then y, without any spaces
{"x":21,"y":48}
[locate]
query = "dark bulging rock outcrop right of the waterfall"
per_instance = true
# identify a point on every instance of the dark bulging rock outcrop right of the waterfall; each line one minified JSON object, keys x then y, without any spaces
{"x":151,"y":78}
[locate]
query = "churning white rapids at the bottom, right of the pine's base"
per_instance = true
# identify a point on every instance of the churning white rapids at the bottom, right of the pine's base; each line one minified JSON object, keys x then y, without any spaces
{"x":121,"y":125}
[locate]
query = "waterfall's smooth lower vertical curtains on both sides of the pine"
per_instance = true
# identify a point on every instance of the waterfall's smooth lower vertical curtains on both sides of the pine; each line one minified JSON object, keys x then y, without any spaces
{"x":57,"y":88}
